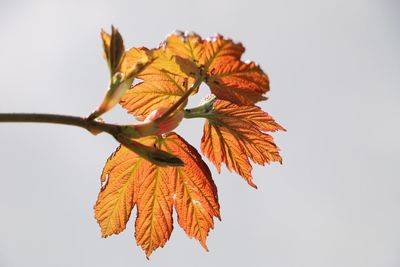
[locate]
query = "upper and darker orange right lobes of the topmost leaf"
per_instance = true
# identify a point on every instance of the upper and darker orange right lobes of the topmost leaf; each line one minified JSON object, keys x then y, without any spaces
{"x":219,"y":60}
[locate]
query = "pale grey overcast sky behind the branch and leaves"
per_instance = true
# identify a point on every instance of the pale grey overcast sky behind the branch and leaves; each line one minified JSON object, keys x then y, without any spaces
{"x":334,"y":68}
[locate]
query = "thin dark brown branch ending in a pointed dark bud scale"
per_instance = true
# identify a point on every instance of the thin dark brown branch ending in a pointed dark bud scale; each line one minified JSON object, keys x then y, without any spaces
{"x":156,"y":156}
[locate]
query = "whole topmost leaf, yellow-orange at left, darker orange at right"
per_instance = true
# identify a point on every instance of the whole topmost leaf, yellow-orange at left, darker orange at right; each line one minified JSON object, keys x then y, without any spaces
{"x":184,"y":56}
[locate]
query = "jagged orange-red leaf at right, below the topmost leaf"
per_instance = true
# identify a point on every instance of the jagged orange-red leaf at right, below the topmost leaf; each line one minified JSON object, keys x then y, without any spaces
{"x":234,"y":134}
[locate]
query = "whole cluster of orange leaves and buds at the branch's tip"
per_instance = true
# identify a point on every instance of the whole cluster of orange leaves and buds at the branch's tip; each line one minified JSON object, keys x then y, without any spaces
{"x":235,"y":133}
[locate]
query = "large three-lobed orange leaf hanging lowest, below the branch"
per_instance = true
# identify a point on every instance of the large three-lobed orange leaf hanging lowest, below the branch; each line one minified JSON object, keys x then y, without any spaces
{"x":130,"y":180}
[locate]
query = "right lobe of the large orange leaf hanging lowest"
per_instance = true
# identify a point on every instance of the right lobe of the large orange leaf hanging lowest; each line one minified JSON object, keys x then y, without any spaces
{"x":195,"y":193}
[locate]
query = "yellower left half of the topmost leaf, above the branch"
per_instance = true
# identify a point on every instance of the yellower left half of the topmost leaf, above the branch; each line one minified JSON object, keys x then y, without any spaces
{"x":166,"y":79}
